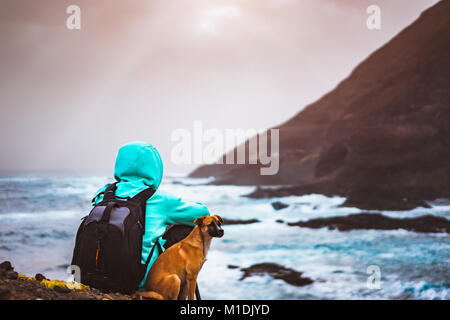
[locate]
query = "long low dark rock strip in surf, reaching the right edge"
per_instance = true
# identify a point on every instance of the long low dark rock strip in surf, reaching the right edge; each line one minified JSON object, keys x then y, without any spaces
{"x":378,"y":221}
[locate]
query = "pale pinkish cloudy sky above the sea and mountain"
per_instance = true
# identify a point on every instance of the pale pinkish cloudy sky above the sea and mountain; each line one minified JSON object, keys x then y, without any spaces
{"x":140,"y":70}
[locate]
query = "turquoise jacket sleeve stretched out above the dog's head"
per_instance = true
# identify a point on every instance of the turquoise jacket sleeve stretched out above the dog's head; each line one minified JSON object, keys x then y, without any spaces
{"x":181,"y":212}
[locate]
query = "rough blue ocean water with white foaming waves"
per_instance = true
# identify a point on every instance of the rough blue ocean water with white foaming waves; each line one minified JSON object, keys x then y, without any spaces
{"x":40,"y":213}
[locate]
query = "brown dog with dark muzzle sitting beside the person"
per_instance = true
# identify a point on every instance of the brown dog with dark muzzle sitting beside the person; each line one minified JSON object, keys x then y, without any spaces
{"x":174,"y":274}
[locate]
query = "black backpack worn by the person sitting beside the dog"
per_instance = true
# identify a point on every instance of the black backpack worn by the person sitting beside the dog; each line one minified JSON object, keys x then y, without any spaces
{"x":108,"y":245}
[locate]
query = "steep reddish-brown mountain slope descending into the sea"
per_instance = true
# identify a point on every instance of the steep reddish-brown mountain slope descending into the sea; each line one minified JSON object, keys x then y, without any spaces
{"x":385,"y":127}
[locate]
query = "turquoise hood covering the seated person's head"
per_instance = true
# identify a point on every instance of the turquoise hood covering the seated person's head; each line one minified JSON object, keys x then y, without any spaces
{"x":138,"y":166}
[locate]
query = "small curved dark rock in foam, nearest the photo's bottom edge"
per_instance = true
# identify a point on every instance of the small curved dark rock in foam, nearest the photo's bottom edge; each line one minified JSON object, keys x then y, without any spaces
{"x":277,"y":272}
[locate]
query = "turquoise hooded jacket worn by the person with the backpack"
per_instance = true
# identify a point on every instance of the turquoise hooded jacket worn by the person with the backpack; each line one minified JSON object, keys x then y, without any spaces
{"x":139,"y":166}
